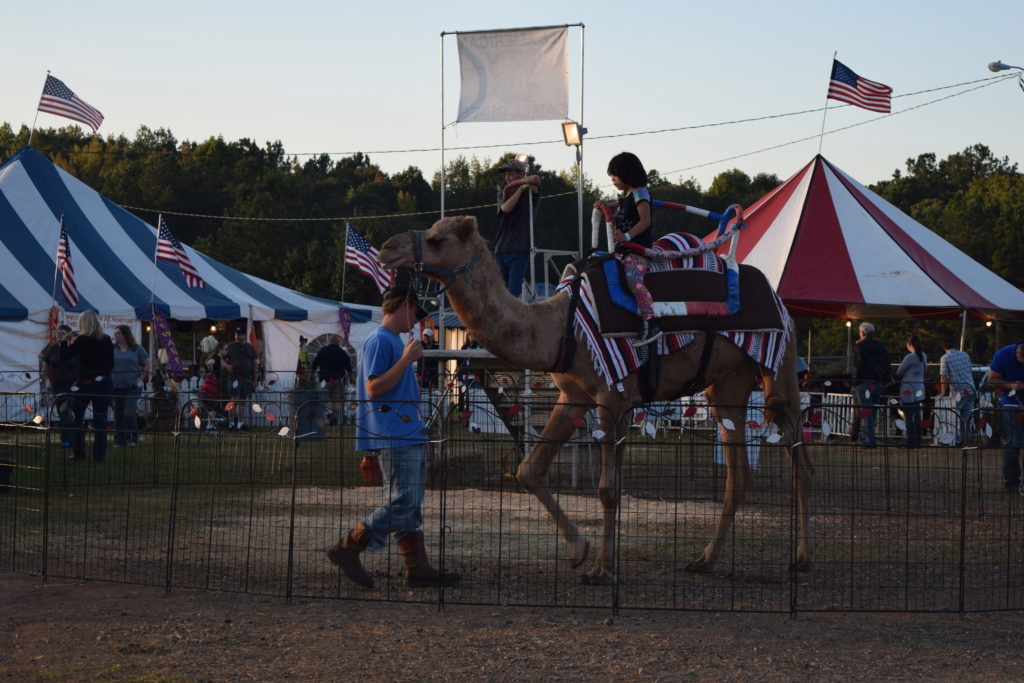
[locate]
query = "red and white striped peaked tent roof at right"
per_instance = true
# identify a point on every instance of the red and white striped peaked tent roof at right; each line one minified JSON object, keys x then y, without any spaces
{"x":833,"y":248}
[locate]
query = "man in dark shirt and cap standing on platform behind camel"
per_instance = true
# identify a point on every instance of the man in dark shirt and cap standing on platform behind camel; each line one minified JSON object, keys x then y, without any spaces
{"x":513,"y":243}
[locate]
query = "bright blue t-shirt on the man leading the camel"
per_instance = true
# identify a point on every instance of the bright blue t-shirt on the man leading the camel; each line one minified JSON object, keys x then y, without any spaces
{"x":395,"y":415}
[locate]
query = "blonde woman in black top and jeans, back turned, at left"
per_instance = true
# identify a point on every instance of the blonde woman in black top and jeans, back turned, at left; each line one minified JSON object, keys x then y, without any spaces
{"x":95,"y":353}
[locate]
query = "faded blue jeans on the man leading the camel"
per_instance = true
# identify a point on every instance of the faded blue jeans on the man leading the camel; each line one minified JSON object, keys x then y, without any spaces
{"x":405,"y":479}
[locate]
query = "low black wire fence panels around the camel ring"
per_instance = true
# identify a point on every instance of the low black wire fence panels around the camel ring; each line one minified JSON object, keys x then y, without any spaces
{"x":893,"y":529}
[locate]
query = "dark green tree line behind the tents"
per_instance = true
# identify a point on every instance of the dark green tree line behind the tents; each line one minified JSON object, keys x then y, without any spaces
{"x":268,"y":208}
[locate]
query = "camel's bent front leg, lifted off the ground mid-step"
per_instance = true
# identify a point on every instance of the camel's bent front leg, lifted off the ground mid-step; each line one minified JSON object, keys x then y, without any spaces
{"x":533,"y":475}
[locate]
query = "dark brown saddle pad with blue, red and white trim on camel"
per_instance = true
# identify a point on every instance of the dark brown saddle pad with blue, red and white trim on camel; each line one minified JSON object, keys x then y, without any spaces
{"x":687,"y":300}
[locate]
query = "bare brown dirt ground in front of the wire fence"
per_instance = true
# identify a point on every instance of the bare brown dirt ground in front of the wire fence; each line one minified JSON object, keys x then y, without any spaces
{"x":73,"y":631}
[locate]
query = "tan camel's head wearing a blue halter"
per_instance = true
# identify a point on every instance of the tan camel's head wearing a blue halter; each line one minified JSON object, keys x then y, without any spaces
{"x":448,"y":246}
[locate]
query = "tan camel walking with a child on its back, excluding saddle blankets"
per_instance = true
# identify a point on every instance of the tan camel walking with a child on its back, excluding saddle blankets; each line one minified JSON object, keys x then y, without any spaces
{"x":527,"y":336}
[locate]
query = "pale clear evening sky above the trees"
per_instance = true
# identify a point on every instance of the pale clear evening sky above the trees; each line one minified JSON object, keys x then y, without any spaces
{"x":346,"y":77}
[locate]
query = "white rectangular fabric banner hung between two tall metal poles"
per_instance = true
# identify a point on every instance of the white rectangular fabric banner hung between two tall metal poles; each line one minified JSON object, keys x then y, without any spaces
{"x":515,"y":75}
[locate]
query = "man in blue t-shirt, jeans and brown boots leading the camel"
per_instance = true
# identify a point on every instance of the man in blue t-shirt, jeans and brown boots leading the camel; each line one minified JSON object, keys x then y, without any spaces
{"x":389,"y":422}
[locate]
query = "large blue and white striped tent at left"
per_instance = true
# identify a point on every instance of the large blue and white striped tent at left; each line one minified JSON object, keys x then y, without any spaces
{"x":113,"y":255}
